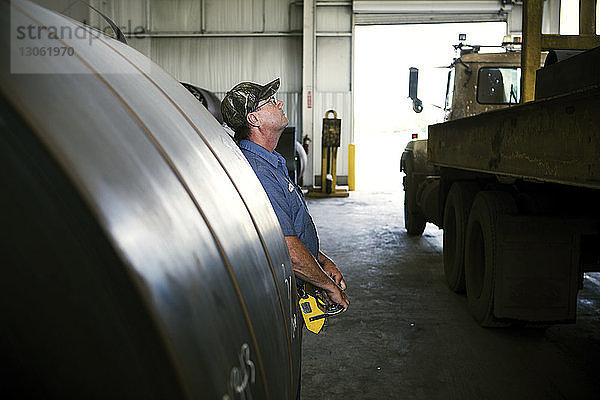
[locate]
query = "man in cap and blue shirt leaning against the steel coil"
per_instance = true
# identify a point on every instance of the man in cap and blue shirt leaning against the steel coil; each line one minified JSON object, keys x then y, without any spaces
{"x":258,"y":120}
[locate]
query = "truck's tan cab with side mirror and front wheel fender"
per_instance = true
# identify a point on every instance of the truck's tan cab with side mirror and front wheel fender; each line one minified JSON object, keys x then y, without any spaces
{"x":477,"y":83}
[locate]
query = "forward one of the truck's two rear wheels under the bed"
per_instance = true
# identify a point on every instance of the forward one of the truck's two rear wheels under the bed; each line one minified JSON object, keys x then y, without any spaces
{"x":456,"y":215}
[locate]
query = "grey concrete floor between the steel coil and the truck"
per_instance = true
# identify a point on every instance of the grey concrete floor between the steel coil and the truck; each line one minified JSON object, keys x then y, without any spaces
{"x":407,"y":336}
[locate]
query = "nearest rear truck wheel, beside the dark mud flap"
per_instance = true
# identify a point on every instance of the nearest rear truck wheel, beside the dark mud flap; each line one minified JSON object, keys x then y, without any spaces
{"x":482,"y":252}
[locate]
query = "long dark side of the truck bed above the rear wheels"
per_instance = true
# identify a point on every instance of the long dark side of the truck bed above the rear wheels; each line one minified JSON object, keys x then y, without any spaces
{"x":553,"y":140}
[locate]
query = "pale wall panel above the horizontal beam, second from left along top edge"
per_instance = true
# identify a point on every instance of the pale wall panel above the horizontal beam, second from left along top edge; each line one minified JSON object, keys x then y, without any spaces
{"x":175,"y":15}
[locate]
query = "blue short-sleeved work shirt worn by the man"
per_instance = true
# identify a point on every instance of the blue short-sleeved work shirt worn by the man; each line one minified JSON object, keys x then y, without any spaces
{"x":285,"y":196}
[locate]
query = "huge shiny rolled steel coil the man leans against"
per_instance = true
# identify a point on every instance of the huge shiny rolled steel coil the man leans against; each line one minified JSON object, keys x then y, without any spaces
{"x":140,"y":255}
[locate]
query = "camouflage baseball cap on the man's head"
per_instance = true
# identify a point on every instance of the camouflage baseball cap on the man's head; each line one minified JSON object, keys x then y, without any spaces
{"x":243,"y":99}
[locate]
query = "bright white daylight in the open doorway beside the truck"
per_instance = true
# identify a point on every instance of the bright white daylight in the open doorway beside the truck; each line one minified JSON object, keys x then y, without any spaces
{"x":383,"y":115}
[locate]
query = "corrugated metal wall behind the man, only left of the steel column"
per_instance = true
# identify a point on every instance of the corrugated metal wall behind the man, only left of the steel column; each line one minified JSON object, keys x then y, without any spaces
{"x":215,"y":44}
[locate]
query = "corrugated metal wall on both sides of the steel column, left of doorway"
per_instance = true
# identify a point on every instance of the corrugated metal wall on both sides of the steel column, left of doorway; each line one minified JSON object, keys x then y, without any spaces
{"x":215,"y":44}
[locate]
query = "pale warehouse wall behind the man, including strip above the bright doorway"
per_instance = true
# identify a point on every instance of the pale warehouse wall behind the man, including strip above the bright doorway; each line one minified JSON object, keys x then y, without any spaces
{"x":215,"y":44}
